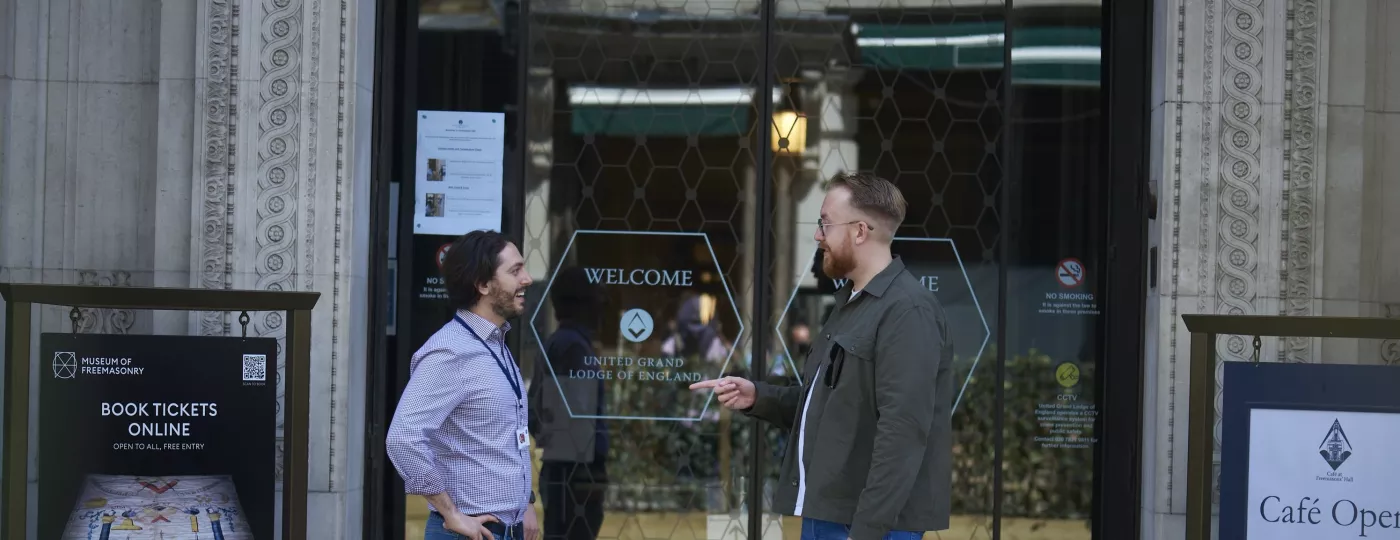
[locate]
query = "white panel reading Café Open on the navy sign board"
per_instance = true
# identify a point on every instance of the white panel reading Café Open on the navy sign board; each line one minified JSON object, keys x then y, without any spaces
{"x":1324,"y":475}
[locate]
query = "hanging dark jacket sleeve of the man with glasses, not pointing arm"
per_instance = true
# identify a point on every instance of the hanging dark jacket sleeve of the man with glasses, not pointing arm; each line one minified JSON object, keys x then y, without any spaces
{"x":906,"y":371}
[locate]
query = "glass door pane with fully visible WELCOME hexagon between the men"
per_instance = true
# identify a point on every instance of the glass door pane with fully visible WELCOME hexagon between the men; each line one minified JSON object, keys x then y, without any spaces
{"x":640,"y":125}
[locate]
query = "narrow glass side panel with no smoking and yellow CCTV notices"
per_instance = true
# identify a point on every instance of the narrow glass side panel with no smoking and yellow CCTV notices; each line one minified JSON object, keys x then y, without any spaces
{"x":1056,"y":261}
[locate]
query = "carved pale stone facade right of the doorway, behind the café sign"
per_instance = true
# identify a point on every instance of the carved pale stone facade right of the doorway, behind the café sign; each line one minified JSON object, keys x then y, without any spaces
{"x":1275,"y":127}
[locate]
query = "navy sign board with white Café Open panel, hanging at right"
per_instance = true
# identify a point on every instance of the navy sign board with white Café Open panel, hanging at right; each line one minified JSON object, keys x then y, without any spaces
{"x":1308,"y":451}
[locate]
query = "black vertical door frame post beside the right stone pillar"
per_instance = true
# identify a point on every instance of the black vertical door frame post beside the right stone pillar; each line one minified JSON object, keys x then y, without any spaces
{"x":1118,"y":485}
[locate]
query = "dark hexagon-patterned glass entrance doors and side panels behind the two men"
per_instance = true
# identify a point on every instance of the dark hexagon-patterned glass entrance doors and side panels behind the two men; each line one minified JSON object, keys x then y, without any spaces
{"x":667,"y":164}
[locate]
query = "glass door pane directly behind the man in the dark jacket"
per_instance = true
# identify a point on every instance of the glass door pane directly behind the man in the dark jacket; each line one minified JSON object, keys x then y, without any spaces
{"x":909,"y":93}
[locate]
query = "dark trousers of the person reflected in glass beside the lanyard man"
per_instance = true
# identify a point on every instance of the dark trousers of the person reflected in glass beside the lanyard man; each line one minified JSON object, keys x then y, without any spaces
{"x":573,"y":496}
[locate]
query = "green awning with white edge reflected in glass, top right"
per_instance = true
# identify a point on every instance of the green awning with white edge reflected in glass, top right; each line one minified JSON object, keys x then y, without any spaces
{"x":1052,"y":55}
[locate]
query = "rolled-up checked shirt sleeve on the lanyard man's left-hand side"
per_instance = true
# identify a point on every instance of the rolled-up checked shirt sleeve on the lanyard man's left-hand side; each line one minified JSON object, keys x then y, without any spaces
{"x":433,"y":391}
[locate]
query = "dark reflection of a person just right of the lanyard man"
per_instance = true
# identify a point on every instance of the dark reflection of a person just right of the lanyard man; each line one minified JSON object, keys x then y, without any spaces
{"x":575,"y":469}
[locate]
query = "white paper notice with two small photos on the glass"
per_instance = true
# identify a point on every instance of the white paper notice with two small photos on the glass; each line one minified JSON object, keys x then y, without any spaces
{"x":458,"y":173}
